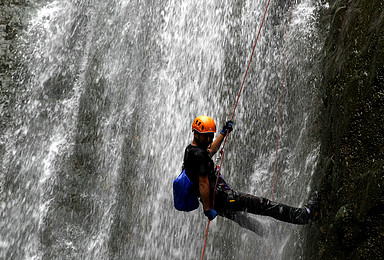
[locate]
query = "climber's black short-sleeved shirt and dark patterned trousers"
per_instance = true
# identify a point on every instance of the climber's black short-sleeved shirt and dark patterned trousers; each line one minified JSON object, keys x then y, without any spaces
{"x":228,"y":202}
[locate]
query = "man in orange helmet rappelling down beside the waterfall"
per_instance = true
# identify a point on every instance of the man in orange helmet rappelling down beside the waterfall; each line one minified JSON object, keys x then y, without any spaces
{"x":200,"y":180}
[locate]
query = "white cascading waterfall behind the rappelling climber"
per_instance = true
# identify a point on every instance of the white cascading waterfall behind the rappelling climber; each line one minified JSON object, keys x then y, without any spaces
{"x":105,"y":95}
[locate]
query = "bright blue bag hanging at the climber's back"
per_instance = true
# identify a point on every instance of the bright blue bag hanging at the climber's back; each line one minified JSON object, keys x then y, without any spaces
{"x":184,"y":198}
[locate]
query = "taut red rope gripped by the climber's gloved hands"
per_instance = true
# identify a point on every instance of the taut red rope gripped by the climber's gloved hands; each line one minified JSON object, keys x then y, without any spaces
{"x":233,"y":114}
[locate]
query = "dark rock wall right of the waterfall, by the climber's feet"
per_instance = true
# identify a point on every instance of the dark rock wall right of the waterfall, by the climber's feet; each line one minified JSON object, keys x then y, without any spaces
{"x":351,"y":170}
